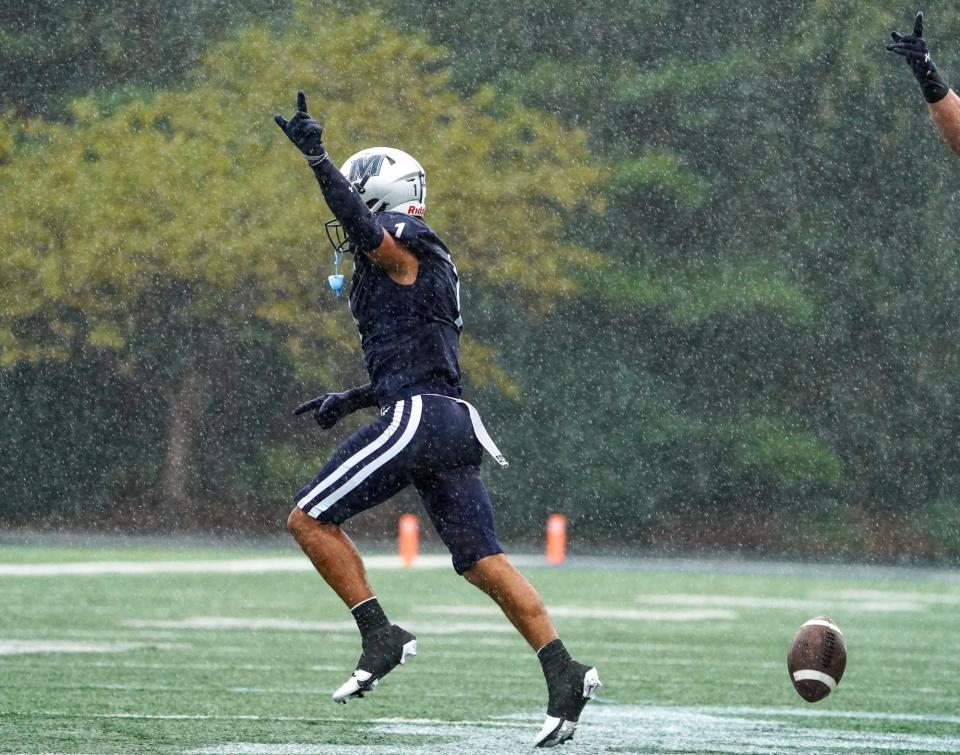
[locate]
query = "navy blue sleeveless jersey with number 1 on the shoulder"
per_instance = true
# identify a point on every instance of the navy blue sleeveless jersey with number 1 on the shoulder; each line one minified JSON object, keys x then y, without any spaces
{"x":410,"y":334}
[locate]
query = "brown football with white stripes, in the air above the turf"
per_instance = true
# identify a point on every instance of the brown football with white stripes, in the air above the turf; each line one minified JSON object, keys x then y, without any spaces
{"x":817,"y":658}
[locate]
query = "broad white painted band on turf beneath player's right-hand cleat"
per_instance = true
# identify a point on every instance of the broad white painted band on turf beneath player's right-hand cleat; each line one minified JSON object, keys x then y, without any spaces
{"x":610,"y":728}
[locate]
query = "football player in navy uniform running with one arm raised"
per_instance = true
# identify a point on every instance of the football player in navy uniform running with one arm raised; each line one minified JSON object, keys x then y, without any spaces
{"x":405,"y":298}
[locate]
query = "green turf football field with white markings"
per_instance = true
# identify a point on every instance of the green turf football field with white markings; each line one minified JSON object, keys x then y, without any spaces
{"x":190,"y":657}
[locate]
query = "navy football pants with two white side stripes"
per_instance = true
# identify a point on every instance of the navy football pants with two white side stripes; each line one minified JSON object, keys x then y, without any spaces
{"x":427,"y":441}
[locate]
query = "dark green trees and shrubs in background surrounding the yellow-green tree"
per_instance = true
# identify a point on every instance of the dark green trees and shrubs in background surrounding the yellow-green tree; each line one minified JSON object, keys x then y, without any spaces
{"x":761,"y":356}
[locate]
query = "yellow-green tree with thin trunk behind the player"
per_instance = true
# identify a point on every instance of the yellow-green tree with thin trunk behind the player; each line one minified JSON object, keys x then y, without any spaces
{"x":175,"y":233}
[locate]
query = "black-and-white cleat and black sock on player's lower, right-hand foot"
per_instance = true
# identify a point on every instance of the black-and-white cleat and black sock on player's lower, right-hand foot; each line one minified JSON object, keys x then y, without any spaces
{"x":570,"y":686}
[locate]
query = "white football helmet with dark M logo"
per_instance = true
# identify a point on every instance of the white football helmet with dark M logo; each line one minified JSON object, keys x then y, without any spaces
{"x":388,"y":179}
